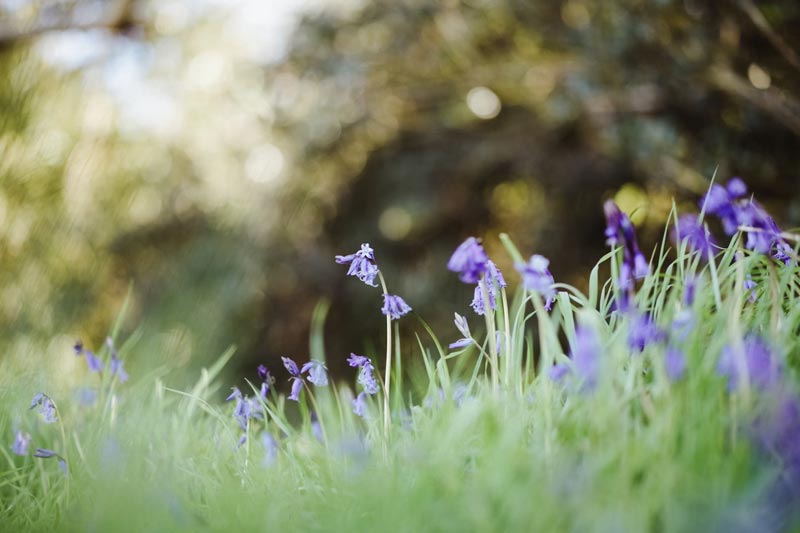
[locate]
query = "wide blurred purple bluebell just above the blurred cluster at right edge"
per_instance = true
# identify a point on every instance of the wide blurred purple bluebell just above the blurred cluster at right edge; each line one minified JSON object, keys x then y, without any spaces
{"x":755,"y":358}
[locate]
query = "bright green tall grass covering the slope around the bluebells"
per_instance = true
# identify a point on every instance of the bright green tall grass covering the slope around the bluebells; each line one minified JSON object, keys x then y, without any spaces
{"x":479,"y":438}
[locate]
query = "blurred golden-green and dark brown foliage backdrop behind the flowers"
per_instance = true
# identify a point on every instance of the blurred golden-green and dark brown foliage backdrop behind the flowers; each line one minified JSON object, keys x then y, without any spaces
{"x":216,"y":154}
